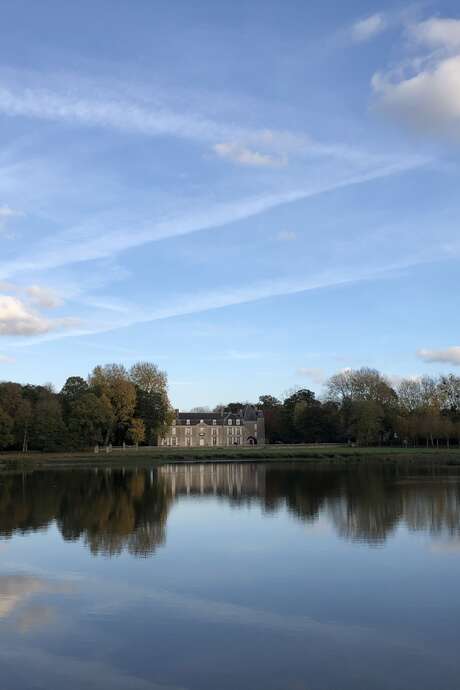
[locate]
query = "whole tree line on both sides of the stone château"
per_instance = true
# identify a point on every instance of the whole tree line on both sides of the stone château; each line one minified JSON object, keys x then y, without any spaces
{"x":117,"y":405}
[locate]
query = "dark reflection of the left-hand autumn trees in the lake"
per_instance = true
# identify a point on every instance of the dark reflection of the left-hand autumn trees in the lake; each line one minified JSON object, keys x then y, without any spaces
{"x":111,"y":511}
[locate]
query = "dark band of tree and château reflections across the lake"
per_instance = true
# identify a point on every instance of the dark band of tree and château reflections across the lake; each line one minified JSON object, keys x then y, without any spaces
{"x":113,"y":511}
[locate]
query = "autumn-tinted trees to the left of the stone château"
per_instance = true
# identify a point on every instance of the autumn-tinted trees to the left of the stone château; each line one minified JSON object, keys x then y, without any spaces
{"x":113,"y":405}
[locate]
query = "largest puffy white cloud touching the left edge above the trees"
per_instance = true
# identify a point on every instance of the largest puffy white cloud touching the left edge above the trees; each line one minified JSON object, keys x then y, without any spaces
{"x":16,"y":318}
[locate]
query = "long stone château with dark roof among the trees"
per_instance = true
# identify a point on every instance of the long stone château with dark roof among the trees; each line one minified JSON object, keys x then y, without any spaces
{"x":211,"y":430}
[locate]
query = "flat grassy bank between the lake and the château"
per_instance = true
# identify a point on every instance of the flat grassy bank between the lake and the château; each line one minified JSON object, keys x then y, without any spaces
{"x":301,"y":453}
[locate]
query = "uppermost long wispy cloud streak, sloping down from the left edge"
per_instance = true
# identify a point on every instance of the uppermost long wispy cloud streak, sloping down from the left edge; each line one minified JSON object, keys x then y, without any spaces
{"x":120,"y":109}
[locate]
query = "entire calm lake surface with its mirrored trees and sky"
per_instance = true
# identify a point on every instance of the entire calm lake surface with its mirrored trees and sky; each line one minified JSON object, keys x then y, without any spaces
{"x":226,"y":577}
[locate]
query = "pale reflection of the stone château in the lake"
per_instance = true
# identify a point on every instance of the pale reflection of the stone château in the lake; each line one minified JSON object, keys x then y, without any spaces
{"x":214,"y":479}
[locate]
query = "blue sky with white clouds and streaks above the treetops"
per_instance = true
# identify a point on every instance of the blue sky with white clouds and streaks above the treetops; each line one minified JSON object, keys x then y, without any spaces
{"x":253,"y":195}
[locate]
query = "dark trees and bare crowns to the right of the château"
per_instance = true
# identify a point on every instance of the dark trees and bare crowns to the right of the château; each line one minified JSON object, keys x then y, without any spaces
{"x":364,"y":407}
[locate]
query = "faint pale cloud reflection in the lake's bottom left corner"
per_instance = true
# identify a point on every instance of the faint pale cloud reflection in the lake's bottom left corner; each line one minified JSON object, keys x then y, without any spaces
{"x":22,"y":664}
